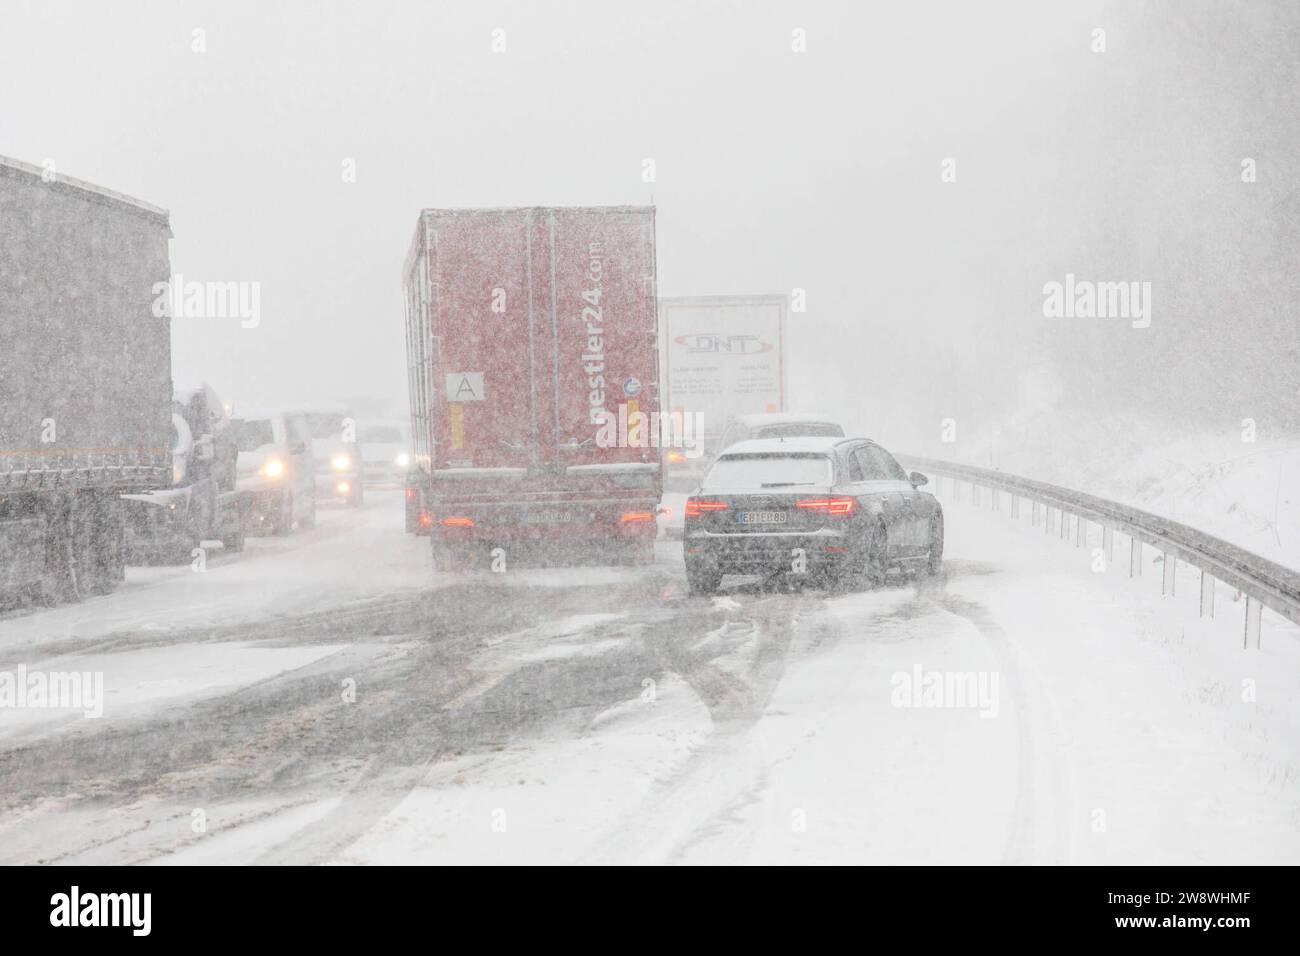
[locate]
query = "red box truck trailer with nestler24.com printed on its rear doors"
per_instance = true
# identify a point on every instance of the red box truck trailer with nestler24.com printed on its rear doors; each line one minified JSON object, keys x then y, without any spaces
{"x":534,"y":366}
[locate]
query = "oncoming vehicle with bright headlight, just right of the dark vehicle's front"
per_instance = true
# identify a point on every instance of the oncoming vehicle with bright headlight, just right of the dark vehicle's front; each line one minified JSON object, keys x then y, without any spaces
{"x":276,"y":469}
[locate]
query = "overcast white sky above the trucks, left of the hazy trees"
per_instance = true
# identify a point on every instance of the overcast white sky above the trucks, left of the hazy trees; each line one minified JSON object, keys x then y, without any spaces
{"x":775,"y":170}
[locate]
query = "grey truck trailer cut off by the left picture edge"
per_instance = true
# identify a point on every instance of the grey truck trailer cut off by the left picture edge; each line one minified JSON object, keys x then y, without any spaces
{"x":85,"y":379}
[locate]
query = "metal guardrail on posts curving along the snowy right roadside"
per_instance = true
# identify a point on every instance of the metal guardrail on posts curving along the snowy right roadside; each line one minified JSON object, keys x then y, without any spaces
{"x":1266,"y":583}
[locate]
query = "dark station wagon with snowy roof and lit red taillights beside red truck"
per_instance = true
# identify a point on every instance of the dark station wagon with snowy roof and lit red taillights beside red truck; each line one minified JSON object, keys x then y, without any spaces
{"x":840,"y":511}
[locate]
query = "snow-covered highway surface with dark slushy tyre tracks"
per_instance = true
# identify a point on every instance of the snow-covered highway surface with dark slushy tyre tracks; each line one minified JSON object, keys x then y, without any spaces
{"x":326,"y":698}
